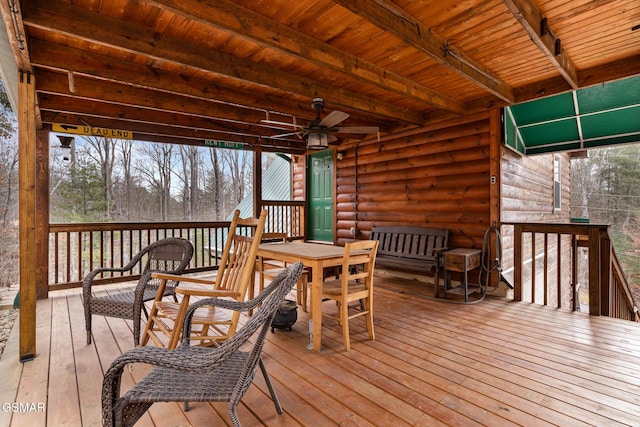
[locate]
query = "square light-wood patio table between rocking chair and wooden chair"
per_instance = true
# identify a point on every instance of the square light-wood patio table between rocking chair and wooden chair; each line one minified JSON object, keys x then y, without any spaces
{"x":317,"y":256}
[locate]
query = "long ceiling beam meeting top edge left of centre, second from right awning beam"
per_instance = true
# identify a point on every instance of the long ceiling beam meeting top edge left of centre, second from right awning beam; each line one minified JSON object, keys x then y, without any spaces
{"x":245,"y":23}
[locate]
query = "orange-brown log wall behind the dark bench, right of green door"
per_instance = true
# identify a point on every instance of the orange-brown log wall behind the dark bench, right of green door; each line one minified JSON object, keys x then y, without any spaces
{"x":435,"y":177}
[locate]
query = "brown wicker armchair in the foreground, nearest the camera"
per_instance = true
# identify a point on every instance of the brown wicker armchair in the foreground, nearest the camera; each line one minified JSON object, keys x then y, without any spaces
{"x":199,"y":374}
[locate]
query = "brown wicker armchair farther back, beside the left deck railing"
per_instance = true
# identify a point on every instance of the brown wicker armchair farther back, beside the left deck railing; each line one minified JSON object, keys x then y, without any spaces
{"x":170,"y":255}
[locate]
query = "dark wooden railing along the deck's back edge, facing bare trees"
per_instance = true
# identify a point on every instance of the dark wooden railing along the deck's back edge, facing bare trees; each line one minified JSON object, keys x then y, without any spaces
{"x":77,"y":249}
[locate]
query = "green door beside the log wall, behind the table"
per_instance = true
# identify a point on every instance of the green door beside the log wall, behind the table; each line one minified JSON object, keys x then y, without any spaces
{"x":320,"y":196}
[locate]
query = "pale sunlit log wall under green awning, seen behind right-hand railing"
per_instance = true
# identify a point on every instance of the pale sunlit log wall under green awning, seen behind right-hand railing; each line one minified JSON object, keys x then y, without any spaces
{"x":527,"y":195}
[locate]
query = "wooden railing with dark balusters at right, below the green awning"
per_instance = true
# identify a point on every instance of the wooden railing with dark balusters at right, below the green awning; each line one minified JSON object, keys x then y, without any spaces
{"x":549,"y":253}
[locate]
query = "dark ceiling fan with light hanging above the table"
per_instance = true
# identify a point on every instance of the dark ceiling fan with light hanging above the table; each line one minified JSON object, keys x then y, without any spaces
{"x":319,"y":132}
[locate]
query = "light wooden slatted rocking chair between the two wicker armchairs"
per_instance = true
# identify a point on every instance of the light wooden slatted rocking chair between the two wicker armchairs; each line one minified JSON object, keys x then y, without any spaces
{"x":235,"y":274}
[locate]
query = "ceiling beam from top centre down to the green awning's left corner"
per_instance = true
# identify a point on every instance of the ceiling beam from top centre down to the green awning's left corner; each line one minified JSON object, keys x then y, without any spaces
{"x":387,"y":16}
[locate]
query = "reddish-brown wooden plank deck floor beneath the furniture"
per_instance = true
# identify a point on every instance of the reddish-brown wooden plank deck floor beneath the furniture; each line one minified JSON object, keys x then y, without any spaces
{"x":495,"y":363}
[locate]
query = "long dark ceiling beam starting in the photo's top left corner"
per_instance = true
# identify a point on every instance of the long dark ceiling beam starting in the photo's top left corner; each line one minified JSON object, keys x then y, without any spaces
{"x":55,"y":15}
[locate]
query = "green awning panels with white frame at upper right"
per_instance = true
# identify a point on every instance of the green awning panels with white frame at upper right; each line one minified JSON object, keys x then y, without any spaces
{"x":597,"y":116}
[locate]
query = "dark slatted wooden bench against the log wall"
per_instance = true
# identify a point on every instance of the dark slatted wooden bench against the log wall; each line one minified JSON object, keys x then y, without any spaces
{"x":415,"y":249}
